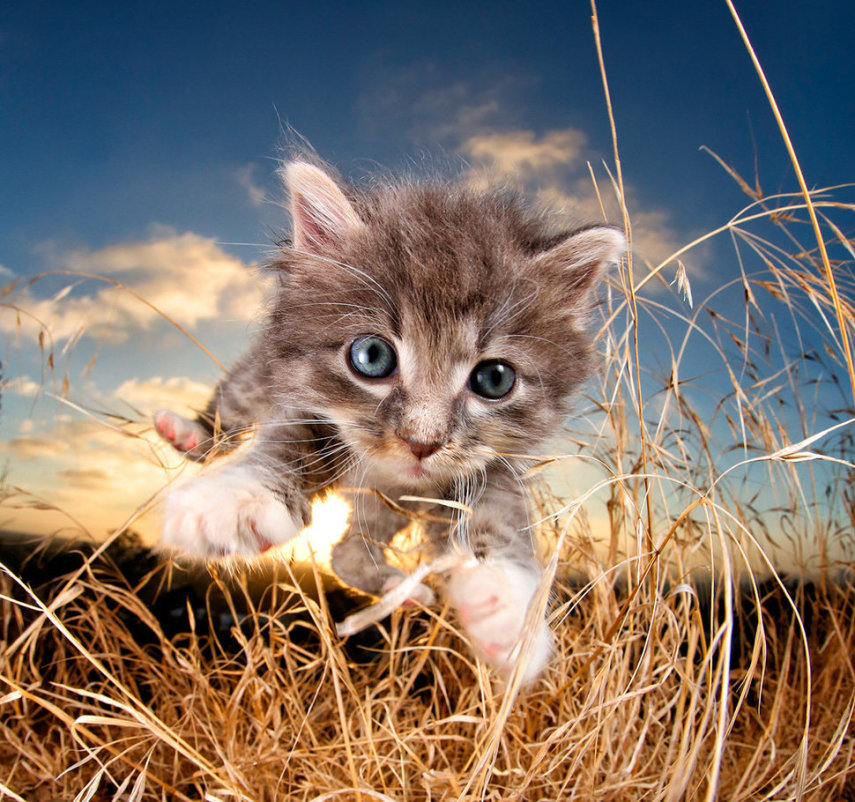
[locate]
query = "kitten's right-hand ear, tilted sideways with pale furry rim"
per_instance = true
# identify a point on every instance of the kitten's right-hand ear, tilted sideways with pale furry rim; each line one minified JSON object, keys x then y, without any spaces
{"x":584,"y":255}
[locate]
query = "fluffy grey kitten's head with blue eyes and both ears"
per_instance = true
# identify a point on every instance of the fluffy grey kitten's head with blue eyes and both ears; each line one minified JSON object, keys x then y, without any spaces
{"x":437,"y":327}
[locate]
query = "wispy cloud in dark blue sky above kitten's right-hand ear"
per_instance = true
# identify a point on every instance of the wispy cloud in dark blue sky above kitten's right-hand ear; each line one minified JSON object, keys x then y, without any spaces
{"x":488,"y":123}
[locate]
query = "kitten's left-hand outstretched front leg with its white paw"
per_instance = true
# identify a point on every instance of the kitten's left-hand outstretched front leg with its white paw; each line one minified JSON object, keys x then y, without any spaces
{"x":241,"y":506}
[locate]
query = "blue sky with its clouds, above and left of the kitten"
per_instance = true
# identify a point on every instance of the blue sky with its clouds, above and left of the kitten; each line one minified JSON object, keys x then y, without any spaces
{"x":139,"y":140}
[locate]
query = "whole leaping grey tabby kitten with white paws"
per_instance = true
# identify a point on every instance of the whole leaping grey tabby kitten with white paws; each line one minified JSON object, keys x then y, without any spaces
{"x":422,"y":335}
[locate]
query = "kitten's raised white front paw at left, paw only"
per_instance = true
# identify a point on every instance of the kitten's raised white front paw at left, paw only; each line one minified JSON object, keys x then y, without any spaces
{"x":226,"y":511}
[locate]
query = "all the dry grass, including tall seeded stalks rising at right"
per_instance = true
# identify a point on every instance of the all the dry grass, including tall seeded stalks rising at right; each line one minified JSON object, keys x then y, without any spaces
{"x":717,"y":447}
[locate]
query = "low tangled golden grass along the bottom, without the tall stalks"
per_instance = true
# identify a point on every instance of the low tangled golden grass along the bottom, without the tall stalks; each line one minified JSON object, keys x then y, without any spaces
{"x":98,"y":698}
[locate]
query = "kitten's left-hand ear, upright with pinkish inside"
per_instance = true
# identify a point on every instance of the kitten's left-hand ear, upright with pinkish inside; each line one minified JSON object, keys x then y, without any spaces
{"x":322,"y":215}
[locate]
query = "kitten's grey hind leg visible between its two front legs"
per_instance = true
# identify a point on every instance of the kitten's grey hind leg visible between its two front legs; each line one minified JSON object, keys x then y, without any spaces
{"x":359,"y":560}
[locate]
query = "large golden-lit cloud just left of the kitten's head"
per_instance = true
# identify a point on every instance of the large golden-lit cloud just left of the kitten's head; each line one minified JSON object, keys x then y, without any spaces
{"x":184,"y":277}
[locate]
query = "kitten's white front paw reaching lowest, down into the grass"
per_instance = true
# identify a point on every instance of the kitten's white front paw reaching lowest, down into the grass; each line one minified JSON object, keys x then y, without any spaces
{"x":492,"y":599}
